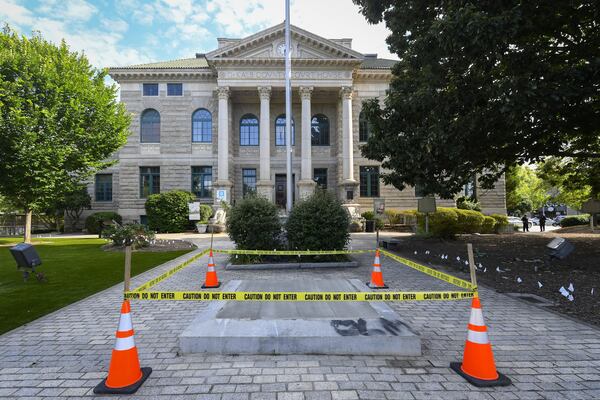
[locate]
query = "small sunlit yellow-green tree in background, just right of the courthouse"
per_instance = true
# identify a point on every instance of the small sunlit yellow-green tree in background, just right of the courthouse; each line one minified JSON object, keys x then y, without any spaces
{"x":525,"y":191}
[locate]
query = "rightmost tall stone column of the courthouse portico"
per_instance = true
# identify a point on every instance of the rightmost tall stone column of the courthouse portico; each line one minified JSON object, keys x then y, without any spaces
{"x":348,"y":182}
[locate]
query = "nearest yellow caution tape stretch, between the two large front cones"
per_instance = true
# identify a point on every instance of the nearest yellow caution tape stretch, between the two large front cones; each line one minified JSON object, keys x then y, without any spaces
{"x":300,"y":296}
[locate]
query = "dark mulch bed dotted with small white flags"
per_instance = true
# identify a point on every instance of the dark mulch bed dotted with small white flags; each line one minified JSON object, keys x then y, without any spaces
{"x":523,"y":261}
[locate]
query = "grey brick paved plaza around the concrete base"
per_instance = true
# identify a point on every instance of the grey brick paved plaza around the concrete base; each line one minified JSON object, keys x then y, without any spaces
{"x":65,"y":354}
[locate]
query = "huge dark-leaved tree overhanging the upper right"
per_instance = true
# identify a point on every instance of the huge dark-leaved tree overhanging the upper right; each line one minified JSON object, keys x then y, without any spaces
{"x":482,"y":86}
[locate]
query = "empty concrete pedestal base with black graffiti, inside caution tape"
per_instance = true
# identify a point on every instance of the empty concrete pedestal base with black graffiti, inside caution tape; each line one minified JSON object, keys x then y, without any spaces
{"x":357,"y":328}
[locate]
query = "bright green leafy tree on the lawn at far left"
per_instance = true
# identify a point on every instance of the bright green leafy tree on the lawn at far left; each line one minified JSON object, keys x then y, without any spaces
{"x":59,"y":122}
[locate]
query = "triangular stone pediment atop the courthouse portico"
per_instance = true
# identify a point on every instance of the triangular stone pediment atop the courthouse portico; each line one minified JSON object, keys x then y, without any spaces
{"x":259,"y":45}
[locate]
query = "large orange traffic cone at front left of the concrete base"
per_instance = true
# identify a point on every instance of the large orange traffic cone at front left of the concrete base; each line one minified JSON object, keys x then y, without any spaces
{"x":124,"y":373}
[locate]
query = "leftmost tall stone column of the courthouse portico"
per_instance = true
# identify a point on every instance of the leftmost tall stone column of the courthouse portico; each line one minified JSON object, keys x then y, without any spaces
{"x":223,"y":182}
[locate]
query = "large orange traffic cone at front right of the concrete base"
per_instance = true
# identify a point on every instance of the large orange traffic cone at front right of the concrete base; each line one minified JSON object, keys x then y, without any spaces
{"x":478,"y":365}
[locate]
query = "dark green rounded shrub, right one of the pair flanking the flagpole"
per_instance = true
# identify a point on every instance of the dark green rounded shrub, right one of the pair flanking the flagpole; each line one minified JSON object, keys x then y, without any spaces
{"x":318,"y":223}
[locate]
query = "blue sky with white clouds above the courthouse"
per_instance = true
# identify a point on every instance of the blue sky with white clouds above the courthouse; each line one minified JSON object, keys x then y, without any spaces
{"x":125,"y":32}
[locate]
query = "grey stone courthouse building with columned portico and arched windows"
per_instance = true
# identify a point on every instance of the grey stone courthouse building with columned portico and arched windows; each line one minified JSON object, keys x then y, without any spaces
{"x":215,"y":125}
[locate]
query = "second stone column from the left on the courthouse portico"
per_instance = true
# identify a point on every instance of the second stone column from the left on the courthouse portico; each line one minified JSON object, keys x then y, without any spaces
{"x":264,"y":184}
